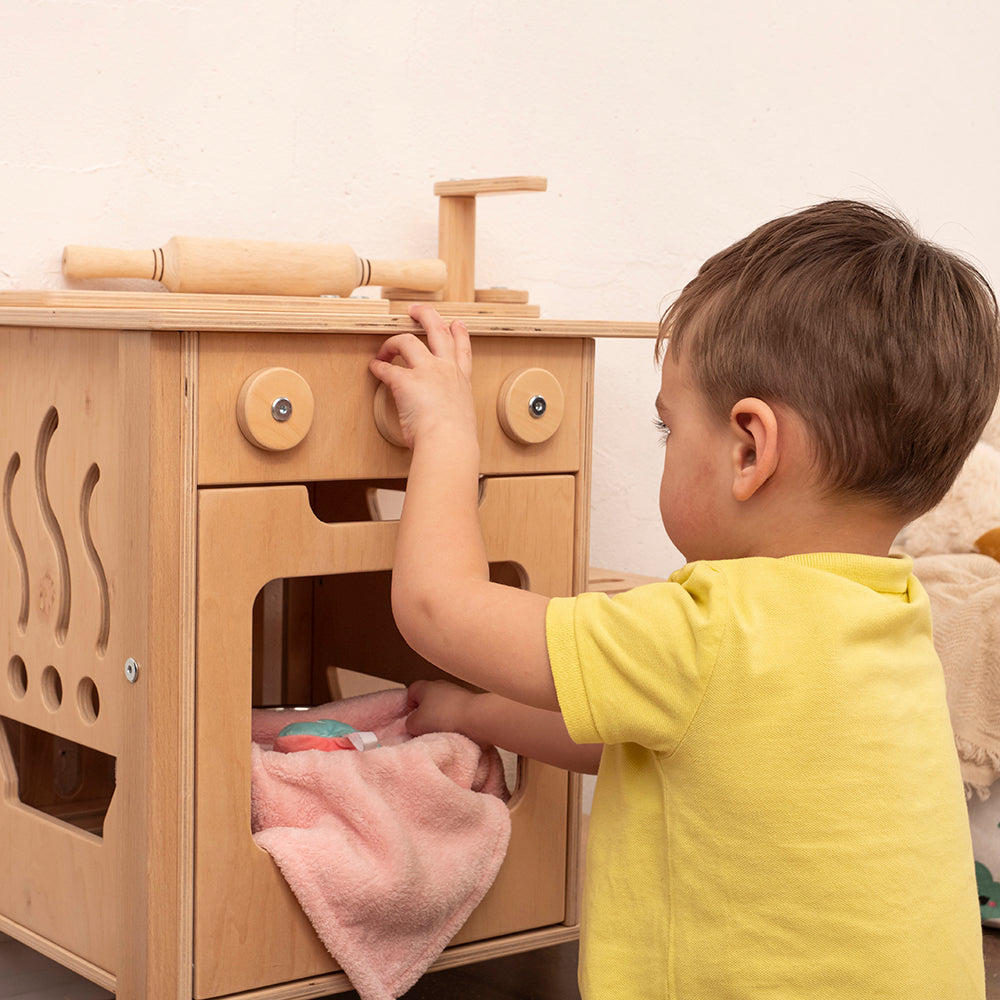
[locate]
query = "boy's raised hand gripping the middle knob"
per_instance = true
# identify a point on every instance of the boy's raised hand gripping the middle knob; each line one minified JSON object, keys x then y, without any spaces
{"x":432,"y":391}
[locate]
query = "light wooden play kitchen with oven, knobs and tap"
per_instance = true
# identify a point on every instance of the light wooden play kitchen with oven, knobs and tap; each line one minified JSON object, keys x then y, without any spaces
{"x":197,"y":503}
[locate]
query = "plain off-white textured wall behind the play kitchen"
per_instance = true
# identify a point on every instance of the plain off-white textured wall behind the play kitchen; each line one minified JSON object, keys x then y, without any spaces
{"x":666,"y":129}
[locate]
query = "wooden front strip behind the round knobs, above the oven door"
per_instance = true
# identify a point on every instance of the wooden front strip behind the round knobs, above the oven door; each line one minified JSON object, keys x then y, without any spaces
{"x":342,"y":440}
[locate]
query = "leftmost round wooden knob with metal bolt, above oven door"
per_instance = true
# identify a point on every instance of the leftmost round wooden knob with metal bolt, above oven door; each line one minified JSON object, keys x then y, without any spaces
{"x":275,"y":409}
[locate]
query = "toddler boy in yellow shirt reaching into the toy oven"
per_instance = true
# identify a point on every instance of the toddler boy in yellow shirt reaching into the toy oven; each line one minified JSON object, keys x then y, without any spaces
{"x":778,"y":810}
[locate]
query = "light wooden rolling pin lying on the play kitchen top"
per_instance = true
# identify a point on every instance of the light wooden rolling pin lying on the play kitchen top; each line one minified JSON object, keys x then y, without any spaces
{"x":253,"y":267}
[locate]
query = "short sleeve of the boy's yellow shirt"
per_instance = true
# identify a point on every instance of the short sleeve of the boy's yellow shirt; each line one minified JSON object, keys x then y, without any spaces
{"x":633,"y":668}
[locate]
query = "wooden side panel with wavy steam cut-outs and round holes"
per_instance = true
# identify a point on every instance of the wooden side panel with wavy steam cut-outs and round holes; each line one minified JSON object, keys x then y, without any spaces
{"x":65,"y":614}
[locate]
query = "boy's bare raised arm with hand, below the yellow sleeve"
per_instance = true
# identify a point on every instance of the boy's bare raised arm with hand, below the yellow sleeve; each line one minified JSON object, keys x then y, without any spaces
{"x":444,"y":603}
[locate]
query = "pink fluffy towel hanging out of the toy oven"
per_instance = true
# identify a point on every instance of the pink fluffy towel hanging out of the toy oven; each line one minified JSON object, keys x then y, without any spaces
{"x":389,"y":850}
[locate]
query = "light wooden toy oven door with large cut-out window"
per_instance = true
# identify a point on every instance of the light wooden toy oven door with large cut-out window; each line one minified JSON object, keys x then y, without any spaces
{"x":234,"y":949}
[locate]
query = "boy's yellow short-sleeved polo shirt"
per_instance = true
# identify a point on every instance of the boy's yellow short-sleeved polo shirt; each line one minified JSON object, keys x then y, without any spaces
{"x":779,"y":811}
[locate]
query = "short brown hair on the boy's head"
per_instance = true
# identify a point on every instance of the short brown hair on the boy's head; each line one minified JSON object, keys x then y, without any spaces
{"x":887,"y":345}
